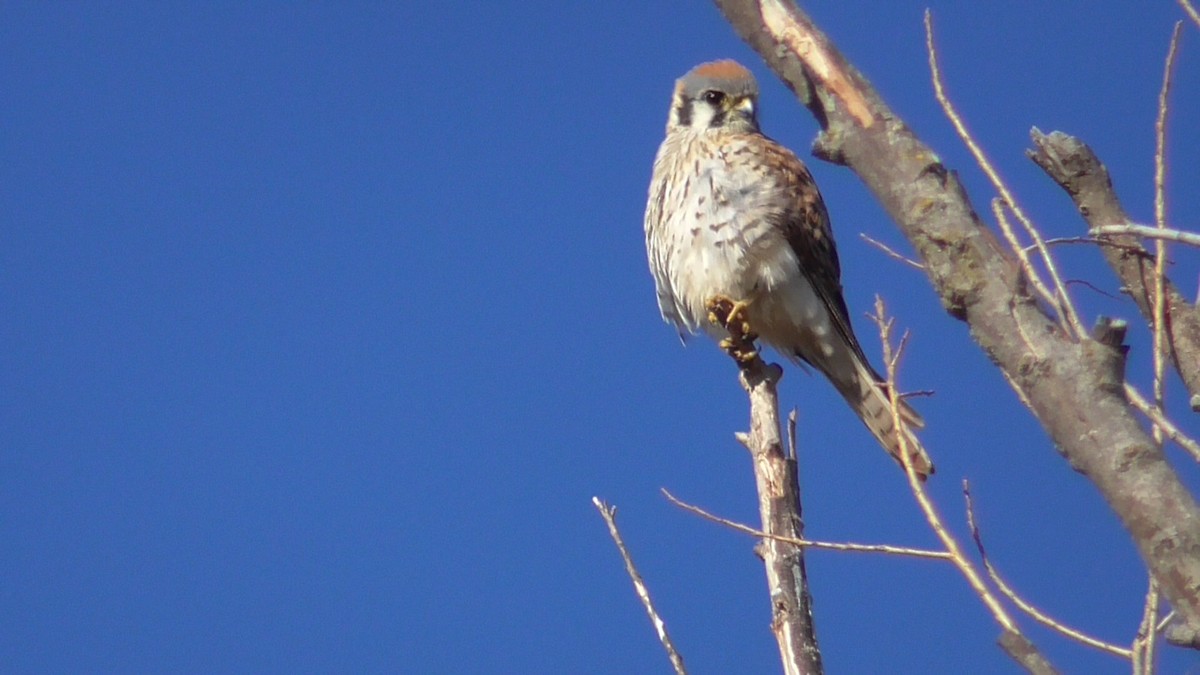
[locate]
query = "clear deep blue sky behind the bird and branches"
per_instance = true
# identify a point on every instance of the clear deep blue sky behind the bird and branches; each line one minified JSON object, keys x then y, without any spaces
{"x":322,"y":324}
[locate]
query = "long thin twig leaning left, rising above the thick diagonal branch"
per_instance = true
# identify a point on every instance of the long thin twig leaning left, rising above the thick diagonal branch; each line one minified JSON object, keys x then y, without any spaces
{"x":1064,"y":304}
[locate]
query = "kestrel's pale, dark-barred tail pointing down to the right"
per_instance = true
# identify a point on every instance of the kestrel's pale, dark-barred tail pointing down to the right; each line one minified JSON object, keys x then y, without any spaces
{"x":868,"y":396}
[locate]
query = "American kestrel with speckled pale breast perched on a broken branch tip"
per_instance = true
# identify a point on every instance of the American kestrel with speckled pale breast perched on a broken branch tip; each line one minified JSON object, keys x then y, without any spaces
{"x":736,"y":216}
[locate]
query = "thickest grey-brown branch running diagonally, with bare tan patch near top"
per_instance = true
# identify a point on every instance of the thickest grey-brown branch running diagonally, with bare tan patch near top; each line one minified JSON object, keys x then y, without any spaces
{"x":1075,"y":387}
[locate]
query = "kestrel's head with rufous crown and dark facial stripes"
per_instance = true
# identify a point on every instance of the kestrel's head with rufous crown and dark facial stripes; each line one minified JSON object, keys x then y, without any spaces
{"x":716,"y":95}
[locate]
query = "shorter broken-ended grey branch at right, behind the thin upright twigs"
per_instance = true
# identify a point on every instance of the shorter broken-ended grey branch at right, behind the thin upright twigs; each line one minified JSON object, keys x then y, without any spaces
{"x":1075,"y":166}
